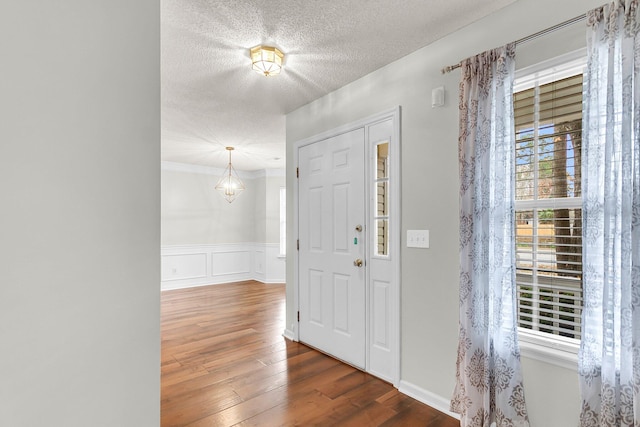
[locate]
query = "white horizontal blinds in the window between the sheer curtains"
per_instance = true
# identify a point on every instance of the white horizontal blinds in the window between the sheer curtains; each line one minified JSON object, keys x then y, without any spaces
{"x":548,"y":120}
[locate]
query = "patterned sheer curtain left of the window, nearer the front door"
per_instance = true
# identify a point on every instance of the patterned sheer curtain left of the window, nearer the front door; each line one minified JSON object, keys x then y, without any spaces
{"x":488,"y":378}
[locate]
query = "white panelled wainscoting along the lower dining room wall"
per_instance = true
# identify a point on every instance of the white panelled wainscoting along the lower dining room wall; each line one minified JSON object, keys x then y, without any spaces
{"x":187,"y":266}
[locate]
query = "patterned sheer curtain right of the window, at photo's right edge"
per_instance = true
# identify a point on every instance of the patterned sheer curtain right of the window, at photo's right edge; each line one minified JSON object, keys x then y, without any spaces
{"x":610,"y":348}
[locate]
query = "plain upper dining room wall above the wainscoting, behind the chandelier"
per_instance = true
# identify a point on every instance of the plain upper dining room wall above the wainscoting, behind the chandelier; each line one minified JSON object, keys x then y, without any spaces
{"x":193,"y":212}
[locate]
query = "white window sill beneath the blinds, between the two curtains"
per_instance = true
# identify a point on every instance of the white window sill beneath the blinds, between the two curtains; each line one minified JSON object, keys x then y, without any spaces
{"x":557,"y":351}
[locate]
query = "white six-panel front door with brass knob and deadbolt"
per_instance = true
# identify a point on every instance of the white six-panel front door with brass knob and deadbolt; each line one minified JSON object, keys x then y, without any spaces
{"x":332,"y":246}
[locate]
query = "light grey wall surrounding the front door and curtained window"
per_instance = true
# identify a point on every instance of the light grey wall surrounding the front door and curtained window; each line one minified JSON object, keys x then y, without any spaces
{"x":430,"y":192}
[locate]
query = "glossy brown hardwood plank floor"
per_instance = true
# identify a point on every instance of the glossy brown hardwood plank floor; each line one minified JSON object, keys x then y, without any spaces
{"x":225,"y":363}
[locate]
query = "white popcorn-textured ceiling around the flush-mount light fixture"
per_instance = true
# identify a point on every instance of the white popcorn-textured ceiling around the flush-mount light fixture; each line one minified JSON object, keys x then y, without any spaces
{"x":211,"y":98}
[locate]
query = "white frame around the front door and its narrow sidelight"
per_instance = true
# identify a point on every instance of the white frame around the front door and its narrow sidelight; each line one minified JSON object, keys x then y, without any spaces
{"x":394,"y":229}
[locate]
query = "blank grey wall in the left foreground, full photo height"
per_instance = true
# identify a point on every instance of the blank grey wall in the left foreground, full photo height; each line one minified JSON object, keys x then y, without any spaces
{"x":79,"y":223}
